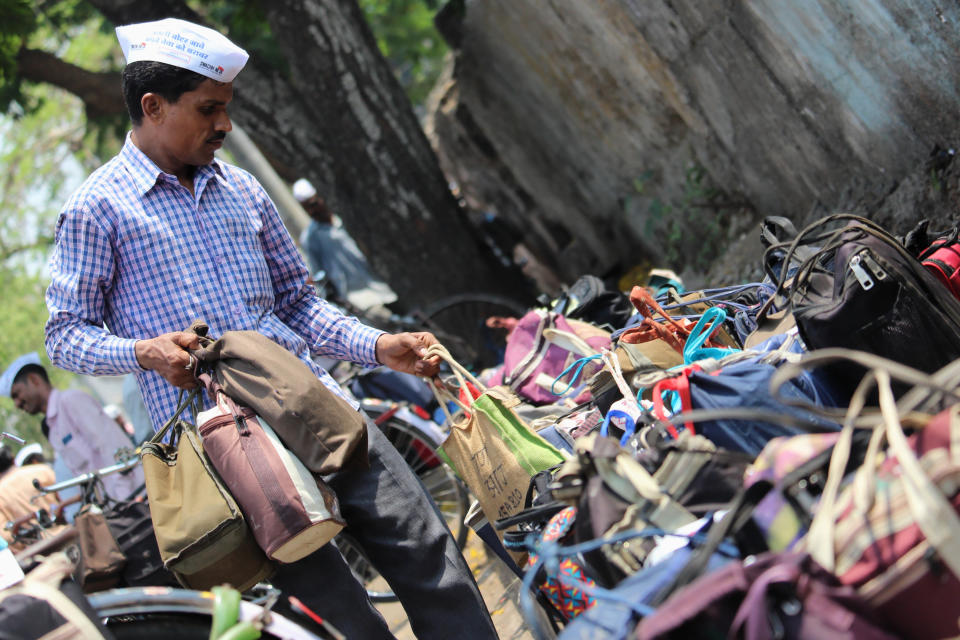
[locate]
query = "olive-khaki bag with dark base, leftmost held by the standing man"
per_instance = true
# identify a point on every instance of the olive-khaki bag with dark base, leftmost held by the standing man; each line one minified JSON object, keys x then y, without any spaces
{"x":202,"y":535}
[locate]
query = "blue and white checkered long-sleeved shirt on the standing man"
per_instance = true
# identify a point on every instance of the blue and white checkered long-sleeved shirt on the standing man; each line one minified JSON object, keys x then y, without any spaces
{"x":137,"y":255}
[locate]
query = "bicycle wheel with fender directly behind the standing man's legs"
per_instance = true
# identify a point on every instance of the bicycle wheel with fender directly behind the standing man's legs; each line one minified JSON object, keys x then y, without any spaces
{"x":416,"y":443}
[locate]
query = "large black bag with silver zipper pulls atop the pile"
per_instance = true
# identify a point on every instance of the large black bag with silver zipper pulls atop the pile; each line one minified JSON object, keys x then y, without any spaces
{"x":863,"y":290}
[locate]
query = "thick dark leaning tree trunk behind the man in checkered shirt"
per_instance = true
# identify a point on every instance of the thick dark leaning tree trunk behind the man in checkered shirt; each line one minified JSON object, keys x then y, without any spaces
{"x":341,"y":119}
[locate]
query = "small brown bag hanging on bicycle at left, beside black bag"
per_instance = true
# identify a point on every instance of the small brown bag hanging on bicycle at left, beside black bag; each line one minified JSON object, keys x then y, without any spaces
{"x":101,"y":560}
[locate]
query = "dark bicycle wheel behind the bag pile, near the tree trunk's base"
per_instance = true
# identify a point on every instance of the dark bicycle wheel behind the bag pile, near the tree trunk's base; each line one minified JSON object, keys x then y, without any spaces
{"x":459,"y":322}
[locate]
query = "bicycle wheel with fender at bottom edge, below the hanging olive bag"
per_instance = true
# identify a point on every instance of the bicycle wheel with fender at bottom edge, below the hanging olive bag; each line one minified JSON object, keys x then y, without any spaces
{"x":159,"y":613}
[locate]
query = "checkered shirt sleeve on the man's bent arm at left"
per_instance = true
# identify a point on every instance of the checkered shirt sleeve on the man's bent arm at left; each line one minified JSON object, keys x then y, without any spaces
{"x":81,"y":271}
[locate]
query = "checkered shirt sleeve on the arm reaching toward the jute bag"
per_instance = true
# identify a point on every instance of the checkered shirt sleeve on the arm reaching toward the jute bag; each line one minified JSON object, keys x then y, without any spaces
{"x":327,"y":331}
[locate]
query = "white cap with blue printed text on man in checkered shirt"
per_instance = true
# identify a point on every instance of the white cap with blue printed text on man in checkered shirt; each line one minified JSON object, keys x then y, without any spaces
{"x":182,"y":44}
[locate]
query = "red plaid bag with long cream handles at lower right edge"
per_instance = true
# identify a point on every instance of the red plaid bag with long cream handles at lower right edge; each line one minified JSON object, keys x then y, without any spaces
{"x":893,"y":532}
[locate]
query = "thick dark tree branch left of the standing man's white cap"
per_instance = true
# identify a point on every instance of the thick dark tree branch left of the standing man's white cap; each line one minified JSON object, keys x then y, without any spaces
{"x":100,"y":92}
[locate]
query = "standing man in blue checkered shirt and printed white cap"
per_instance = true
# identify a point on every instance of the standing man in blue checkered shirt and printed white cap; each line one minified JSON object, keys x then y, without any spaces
{"x":166,"y":233}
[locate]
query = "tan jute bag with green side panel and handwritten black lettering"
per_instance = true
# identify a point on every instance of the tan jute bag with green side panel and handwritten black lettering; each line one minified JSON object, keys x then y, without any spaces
{"x":491,"y":448}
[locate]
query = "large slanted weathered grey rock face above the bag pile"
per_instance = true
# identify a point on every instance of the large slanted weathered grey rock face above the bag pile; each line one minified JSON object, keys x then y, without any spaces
{"x":614,"y":132}
